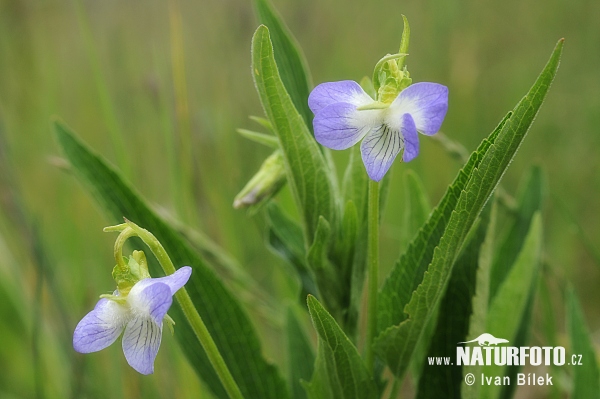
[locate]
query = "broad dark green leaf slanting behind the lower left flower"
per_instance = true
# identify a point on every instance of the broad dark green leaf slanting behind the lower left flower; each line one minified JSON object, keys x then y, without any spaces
{"x":226,"y":320}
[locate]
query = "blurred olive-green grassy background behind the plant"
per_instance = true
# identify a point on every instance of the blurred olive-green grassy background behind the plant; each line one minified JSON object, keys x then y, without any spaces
{"x":159,"y":87}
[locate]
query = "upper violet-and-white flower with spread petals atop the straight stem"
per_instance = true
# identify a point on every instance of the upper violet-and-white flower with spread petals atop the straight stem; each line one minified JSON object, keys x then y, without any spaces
{"x":345,"y":115}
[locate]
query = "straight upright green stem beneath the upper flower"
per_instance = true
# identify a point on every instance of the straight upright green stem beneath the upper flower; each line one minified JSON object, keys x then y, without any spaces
{"x":373,"y":264}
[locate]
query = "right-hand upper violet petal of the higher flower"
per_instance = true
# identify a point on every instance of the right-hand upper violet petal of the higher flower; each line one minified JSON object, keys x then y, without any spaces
{"x":427,"y":103}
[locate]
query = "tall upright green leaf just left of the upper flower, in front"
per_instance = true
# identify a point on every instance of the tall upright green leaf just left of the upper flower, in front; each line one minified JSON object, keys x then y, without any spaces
{"x":309,"y":177}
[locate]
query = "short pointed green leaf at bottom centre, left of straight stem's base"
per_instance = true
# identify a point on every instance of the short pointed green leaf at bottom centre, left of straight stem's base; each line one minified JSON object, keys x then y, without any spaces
{"x":344,"y":369}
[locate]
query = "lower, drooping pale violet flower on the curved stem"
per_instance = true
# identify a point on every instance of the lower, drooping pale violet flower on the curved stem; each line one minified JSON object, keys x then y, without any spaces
{"x":140,"y":314}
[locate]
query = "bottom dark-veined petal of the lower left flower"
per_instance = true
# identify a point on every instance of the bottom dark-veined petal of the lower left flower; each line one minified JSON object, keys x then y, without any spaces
{"x":141,"y":341}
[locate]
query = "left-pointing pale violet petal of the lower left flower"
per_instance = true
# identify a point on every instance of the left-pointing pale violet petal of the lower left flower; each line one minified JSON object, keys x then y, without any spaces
{"x":100,"y":327}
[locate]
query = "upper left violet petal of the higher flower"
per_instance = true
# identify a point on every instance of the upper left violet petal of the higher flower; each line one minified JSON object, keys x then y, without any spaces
{"x":345,"y":91}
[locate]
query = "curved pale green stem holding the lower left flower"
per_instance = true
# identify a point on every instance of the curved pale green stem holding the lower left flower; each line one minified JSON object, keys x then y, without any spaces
{"x":191,"y":314}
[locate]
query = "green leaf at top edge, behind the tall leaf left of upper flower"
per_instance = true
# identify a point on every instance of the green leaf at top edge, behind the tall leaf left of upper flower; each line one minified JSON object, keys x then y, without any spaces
{"x":289,"y":58}
